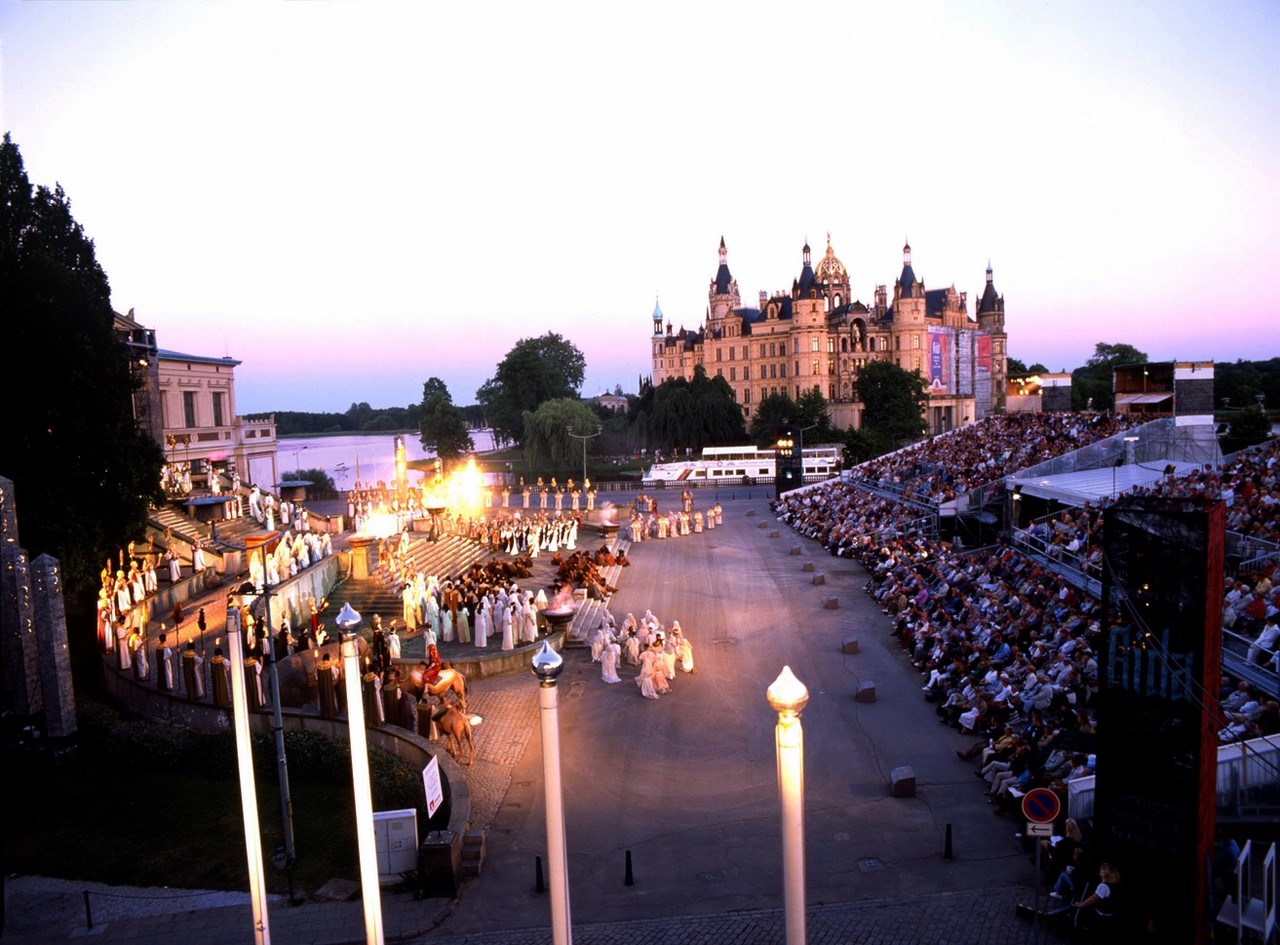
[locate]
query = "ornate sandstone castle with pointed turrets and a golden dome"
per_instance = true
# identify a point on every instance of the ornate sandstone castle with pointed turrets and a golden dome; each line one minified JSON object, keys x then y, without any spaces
{"x":820,"y":337}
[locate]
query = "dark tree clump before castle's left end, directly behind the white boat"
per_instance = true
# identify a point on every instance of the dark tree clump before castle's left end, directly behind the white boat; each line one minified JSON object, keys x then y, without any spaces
{"x":687,"y":414}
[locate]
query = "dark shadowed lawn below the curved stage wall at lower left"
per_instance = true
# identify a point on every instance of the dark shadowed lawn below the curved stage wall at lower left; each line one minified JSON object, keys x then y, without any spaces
{"x":149,"y":805}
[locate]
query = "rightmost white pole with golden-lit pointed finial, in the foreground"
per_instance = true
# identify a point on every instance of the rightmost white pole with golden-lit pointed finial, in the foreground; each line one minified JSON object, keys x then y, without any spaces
{"x":789,"y":696}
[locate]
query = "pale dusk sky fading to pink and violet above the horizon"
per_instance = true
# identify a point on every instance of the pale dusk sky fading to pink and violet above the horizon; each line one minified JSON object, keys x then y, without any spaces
{"x":353,"y":198}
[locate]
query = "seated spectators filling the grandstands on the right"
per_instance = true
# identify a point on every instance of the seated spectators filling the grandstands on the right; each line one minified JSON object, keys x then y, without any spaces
{"x":1005,"y":645}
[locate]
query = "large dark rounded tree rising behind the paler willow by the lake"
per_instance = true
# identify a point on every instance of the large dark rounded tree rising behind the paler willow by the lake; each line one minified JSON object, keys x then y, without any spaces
{"x":534,"y":372}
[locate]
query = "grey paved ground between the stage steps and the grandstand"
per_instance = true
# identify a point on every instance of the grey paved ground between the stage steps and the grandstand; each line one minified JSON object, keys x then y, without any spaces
{"x":687,"y":786}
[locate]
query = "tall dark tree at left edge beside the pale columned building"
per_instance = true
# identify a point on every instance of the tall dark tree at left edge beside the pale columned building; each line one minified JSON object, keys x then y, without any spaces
{"x":84,"y":472}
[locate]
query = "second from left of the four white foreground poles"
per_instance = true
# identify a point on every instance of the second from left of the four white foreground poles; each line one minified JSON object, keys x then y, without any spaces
{"x":365,"y":843}
